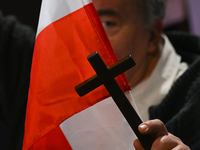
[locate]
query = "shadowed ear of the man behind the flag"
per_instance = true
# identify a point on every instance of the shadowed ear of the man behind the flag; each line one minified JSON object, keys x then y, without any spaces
{"x":155,"y":34}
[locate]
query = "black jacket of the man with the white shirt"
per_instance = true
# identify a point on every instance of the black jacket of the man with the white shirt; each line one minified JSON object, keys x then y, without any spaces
{"x":180,"y":109}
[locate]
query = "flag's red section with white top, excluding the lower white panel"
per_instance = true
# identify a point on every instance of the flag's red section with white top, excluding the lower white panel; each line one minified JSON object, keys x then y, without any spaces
{"x":68,"y":31}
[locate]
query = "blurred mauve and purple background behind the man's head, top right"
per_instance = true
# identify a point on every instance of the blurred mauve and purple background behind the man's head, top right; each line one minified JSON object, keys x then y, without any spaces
{"x":183,"y":15}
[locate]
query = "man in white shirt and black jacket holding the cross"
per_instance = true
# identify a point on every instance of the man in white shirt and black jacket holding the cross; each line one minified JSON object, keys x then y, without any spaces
{"x":165,"y":81}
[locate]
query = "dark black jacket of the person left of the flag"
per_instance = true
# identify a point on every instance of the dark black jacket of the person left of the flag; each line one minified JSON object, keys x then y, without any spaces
{"x":16,"y":48}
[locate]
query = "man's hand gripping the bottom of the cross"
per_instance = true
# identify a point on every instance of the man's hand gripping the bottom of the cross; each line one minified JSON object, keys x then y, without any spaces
{"x":163,"y":139}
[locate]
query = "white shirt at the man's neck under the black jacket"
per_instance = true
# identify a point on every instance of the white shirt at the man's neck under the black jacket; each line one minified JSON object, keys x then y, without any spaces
{"x":152,"y":90}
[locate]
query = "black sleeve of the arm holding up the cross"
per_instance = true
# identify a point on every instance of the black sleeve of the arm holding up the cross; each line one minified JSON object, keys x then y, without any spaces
{"x":179,"y":110}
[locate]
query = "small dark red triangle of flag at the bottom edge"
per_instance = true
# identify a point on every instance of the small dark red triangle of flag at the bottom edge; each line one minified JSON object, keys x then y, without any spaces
{"x":55,"y":139}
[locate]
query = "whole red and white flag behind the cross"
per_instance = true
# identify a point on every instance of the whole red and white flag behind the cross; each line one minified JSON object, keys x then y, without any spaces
{"x":57,"y":118}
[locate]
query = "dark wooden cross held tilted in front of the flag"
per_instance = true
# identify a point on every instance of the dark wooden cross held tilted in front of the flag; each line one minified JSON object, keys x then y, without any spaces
{"x":106,"y":76}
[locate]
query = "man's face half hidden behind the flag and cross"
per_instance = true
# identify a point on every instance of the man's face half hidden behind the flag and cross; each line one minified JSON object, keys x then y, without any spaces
{"x":126,"y":33}
